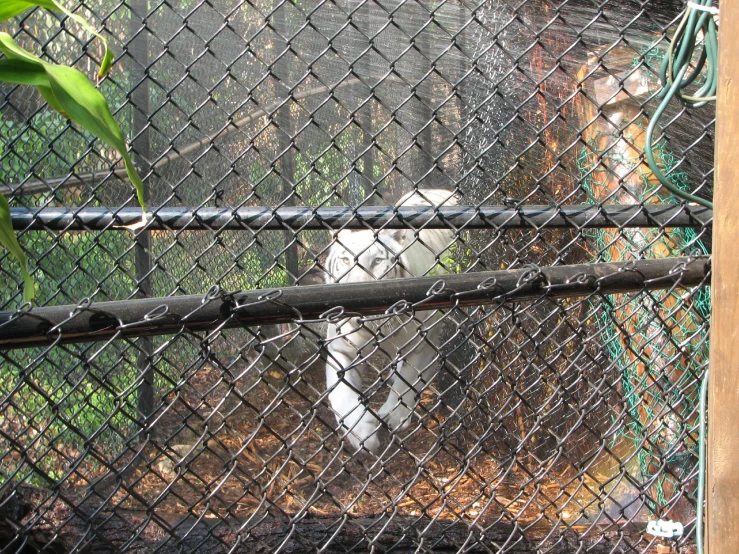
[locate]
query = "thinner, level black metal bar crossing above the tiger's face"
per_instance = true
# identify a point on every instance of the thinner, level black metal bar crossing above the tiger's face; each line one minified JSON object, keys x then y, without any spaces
{"x":389,"y":217}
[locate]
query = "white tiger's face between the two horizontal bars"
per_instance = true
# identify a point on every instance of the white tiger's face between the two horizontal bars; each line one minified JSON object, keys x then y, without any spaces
{"x":360,"y":256}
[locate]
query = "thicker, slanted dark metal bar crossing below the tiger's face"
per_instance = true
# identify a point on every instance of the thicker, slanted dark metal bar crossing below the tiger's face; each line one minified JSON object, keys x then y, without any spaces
{"x":162,"y":316}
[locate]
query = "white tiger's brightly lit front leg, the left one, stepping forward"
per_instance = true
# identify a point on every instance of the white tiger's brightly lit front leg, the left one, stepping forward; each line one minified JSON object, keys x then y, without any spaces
{"x":344,"y":384}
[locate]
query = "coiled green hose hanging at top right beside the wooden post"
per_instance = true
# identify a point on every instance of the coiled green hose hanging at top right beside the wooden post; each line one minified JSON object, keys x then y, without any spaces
{"x":675,"y":66}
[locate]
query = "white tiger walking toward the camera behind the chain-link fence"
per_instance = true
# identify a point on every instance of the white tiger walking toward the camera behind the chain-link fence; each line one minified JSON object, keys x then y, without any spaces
{"x":368,"y":255}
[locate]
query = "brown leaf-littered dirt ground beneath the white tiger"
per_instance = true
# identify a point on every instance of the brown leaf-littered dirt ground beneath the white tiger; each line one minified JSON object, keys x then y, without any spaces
{"x":246,"y":437}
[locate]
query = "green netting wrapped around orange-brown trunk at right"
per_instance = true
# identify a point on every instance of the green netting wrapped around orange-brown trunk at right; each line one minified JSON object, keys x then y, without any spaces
{"x":658,"y":342}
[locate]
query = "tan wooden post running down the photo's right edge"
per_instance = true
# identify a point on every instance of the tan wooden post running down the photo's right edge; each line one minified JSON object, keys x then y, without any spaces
{"x":722,"y":487}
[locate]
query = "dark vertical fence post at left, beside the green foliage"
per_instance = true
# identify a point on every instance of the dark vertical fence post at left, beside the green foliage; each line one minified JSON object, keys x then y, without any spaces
{"x":139,"y":51}
